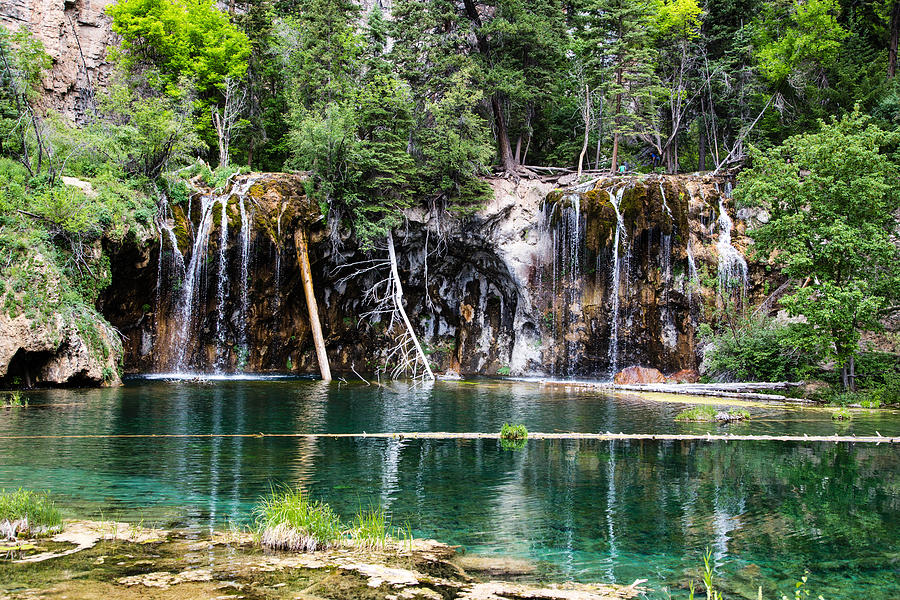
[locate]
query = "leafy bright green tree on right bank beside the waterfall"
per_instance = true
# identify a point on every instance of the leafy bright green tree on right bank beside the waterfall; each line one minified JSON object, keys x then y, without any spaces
{"x":832,"y":195}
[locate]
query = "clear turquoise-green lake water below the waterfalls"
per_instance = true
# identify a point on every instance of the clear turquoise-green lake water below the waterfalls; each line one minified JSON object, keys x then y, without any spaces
{"x":581,"y":510}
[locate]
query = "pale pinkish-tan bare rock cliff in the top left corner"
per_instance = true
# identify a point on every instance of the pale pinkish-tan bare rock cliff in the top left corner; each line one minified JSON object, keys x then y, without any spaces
{"x":75,"y":34}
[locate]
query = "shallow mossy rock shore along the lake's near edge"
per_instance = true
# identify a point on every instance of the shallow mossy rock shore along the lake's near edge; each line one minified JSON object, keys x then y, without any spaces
{"x":91,"y":559}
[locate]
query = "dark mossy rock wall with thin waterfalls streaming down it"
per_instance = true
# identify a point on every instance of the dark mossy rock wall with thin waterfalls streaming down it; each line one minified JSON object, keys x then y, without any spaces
{"x":570,"y":282}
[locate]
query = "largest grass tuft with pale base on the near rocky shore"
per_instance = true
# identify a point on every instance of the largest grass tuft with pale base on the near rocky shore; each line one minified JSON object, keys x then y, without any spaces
{"x":289,"y":520}
